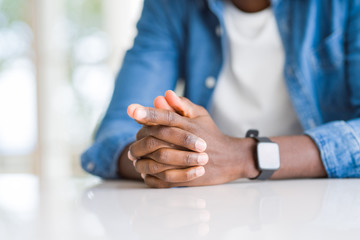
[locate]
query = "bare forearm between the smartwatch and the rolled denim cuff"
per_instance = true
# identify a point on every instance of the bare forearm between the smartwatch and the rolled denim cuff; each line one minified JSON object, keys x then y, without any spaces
{"x":299,"y":158}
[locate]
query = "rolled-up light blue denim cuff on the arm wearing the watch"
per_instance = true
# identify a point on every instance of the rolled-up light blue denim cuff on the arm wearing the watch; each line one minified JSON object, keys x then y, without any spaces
{"x":339,"y":147}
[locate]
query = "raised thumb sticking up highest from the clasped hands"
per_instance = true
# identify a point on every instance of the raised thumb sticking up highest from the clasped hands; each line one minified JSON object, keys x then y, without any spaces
{"x":183,"y":106}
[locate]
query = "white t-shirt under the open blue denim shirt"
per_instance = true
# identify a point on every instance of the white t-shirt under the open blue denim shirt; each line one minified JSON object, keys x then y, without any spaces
{"x":251,"y":91}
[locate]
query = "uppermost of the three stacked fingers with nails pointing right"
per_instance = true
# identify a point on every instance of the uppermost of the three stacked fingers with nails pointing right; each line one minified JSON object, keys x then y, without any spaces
{"x":175,"y":136}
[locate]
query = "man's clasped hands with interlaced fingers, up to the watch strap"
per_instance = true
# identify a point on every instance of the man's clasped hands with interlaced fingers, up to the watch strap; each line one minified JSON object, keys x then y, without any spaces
{"x":180,"y":145}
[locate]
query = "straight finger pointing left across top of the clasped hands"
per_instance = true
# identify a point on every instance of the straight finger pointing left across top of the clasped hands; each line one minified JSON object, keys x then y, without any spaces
{"x":153,"y":116}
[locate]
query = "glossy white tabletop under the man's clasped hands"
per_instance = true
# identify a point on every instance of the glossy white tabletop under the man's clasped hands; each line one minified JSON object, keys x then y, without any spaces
{"x":87,"y":208}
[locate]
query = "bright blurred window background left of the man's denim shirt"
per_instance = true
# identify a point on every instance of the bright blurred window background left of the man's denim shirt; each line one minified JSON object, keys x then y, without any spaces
{"x":58,"y":62}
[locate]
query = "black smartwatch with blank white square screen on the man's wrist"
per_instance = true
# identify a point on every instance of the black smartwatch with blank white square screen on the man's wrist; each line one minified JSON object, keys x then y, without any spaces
{"x":267,"y":155}
